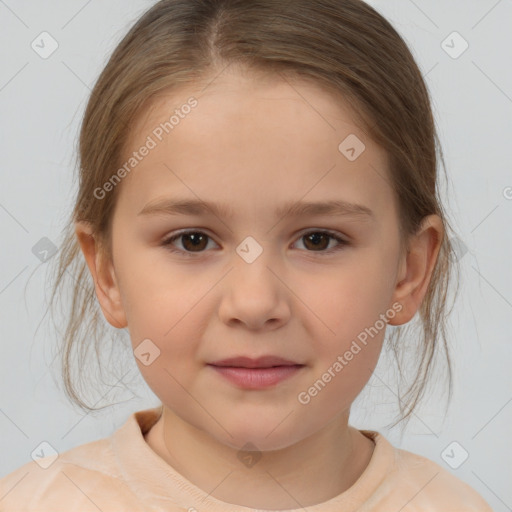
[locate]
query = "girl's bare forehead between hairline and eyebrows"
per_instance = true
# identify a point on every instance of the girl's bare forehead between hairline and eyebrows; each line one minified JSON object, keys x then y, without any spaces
{"x":253,"y":140}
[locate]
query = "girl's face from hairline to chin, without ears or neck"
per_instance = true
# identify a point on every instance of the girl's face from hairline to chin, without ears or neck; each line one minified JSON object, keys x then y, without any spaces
{"x":254,"y":146}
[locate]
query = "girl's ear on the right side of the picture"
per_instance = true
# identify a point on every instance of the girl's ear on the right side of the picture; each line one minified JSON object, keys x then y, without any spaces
{"x":416,"y":269}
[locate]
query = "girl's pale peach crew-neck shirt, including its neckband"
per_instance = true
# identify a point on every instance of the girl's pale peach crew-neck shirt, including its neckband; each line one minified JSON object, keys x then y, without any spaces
{"x":122,"y":473}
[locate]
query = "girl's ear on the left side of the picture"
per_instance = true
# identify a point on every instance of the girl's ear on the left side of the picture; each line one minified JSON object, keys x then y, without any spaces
{"x":103,"y":274}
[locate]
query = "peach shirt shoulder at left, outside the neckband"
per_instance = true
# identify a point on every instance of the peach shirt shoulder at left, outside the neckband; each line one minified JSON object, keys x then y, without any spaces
{"x":83,"y":478}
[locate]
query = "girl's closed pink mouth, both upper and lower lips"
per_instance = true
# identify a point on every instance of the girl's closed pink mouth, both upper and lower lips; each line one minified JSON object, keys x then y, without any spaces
{"x":247,"y":373}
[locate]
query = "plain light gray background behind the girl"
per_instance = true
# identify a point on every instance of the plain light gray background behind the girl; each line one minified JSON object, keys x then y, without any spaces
{"x":42,"y":101}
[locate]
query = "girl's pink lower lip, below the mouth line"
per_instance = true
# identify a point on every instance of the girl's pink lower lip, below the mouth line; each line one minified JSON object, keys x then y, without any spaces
{"x":256,"y":378}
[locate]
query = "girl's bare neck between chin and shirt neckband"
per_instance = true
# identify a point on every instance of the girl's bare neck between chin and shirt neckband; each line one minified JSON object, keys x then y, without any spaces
{"x":303,"y":474}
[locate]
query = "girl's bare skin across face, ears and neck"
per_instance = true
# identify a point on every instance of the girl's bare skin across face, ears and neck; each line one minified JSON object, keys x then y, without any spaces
{"x":255,"y":144}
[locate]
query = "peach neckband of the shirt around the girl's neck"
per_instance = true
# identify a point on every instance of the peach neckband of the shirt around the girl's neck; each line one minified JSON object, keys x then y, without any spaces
{"x":158,"y":483}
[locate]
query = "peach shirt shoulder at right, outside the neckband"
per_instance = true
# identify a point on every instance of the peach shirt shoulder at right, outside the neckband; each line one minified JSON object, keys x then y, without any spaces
{"x":420,"y":484}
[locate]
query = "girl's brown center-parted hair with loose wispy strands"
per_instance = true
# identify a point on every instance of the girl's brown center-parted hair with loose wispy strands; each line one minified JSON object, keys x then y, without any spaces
{"x":343,"y":45}
